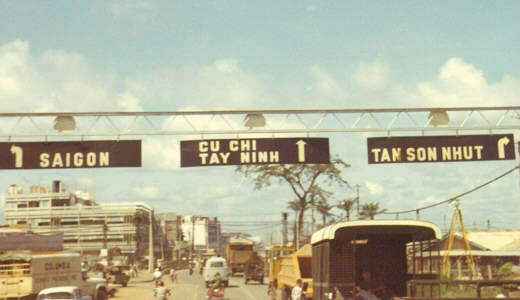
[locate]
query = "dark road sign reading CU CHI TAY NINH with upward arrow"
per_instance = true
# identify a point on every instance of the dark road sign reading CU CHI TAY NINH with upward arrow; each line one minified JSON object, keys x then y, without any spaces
{"x":255,"y":151}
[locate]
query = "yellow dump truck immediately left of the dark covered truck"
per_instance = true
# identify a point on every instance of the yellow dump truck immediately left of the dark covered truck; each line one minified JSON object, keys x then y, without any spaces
{"x":285,"y":270}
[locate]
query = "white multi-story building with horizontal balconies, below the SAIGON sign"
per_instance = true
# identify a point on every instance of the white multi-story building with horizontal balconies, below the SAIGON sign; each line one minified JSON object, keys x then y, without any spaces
{"x":87,"y":227}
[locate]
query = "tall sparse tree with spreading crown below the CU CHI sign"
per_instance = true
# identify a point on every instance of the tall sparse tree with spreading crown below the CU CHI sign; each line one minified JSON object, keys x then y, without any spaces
{"x":305,"y":181}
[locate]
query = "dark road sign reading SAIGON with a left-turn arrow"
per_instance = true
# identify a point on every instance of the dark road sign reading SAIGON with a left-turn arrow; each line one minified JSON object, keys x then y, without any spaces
{"x":74,"y":154}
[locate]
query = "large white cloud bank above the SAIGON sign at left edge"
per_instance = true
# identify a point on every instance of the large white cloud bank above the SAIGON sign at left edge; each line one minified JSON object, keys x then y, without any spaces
{"x":56,"y":81}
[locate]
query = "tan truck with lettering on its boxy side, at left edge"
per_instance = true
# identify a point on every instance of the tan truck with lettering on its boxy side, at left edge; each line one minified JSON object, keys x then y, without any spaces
{"x":24,"y":274}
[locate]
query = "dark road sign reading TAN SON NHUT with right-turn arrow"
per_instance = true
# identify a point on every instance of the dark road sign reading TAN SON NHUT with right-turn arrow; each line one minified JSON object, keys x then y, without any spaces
{"x":409,"y":149}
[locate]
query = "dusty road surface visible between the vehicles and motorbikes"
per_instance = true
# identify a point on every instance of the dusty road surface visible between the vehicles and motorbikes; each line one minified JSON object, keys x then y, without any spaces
{"x":189,"y":287}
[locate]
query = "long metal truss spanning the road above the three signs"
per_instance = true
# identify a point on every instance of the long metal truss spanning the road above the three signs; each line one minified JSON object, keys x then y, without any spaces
{"x":232,"y":122}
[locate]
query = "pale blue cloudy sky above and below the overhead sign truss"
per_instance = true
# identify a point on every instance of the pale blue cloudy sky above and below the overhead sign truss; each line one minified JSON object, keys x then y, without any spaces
{"x":136,"y":55}
